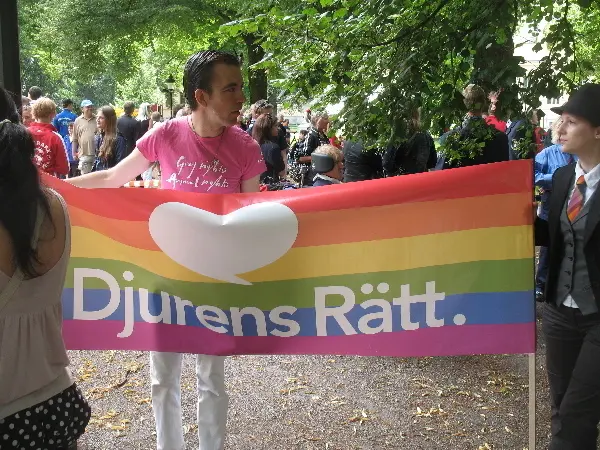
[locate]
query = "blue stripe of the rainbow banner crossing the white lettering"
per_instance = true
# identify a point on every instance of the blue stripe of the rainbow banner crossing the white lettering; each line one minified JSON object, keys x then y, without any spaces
{"x":480,"y":309}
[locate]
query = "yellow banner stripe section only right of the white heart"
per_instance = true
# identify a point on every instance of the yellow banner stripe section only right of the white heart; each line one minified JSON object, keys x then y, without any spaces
{"x":496,"y":244}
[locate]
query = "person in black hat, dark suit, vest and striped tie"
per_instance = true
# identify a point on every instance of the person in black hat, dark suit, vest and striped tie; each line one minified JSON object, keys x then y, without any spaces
{"x":571,"y":318}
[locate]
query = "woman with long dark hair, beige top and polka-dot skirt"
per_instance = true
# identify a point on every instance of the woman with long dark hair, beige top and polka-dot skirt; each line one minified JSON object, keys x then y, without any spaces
{"x":40,"y":405}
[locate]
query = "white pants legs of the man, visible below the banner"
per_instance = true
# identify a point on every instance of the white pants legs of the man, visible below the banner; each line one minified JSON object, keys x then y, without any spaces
{"x":165,"y":371}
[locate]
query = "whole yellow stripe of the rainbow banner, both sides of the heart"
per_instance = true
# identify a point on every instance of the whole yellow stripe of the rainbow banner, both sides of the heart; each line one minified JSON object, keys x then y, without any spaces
{"x":340,"y":259}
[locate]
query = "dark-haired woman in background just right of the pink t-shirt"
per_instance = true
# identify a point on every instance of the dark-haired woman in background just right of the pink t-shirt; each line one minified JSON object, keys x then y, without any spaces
{"x":266,"y":132}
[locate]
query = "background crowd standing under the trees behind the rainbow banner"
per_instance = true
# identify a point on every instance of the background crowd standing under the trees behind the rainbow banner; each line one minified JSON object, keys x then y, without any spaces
{"x":99,"y":141}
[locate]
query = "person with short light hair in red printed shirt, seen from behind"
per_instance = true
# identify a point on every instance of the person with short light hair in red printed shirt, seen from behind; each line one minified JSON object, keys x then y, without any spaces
{"x":50,"y":152}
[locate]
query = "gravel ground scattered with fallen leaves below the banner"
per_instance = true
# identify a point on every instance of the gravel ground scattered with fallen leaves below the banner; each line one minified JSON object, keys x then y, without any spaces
{"x":335,"y":403}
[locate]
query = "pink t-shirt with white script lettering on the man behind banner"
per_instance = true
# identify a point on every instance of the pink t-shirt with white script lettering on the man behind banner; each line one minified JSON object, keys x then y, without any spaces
{"x":190,"y":163}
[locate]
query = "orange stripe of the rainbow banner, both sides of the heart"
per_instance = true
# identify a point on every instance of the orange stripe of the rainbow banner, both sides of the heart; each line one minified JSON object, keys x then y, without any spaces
{"x":358,"y":225}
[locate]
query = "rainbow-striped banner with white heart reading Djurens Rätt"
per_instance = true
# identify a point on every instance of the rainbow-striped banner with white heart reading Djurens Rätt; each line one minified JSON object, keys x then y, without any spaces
{"x":432,"y":264}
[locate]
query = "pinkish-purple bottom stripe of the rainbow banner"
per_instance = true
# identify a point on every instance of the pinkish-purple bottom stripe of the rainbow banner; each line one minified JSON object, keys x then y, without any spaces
{"x":513,"y":338}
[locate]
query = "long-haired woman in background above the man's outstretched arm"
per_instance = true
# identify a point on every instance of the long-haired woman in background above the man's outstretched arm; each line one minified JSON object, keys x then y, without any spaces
{"x":110,"y":144}
